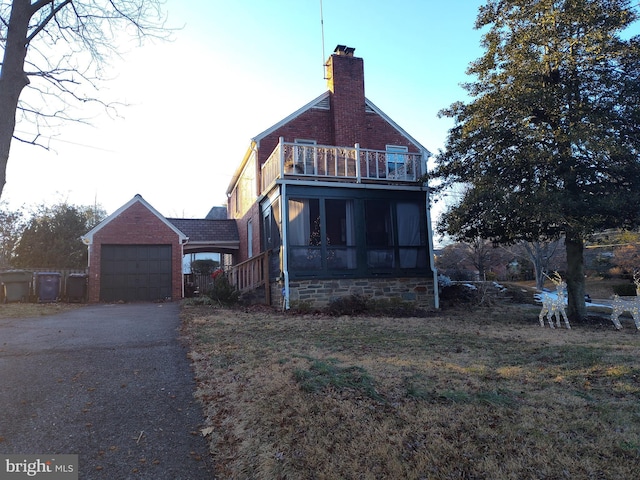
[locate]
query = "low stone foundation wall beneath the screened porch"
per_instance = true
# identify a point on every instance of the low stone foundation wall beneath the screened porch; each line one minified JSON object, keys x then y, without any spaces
{"x":319,"y":293}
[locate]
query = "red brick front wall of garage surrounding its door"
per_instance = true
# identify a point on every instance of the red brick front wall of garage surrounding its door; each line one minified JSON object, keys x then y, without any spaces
{"x":135,"y":226}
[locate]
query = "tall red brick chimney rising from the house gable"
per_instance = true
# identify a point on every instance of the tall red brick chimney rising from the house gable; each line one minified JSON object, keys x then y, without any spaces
{"x":345,"y":80}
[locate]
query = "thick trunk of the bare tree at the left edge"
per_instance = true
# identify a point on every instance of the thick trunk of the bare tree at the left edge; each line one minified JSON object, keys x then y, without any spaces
{"x":12,"y":78}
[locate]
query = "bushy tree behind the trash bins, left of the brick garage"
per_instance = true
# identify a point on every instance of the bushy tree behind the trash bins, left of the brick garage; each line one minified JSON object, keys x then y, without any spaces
{"x":51,"y":237}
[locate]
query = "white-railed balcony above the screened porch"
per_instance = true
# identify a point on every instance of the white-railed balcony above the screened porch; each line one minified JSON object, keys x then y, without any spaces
{"x":345,"y":164}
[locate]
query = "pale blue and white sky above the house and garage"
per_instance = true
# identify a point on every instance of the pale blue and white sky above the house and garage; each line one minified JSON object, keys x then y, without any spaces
{"x":233,"y":69}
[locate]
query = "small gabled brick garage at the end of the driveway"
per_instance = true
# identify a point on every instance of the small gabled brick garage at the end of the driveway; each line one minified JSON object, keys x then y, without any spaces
{"x":135,"y":254}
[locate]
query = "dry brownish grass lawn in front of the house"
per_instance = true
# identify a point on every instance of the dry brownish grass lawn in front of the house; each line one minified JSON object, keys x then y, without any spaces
{"x":477,"y":393}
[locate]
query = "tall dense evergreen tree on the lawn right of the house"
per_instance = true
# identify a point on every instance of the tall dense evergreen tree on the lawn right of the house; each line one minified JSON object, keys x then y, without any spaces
{"x":549,"y":141}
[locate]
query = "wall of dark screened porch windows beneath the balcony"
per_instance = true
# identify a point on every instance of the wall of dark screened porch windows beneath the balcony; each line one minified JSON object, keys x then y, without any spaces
{"x":356,"y":236}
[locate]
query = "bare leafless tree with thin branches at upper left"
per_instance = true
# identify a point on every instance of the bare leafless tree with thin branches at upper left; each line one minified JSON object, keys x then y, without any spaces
{"x":58,"y":48}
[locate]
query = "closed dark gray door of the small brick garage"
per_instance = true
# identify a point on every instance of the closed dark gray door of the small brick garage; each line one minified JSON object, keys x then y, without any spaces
{"x":134,"y":273}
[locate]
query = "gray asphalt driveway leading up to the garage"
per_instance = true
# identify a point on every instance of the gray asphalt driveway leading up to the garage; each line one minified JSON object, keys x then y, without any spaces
{"x":110,"y":383}
